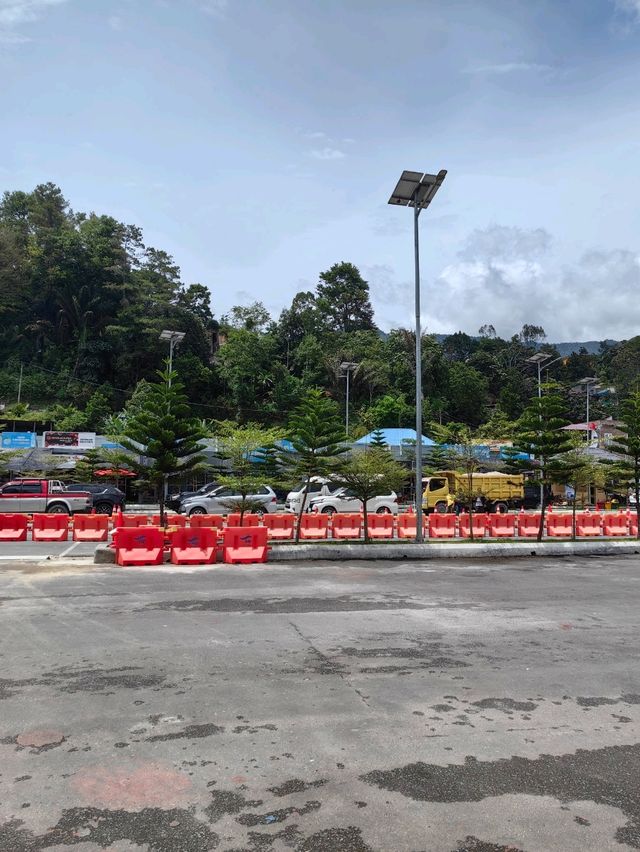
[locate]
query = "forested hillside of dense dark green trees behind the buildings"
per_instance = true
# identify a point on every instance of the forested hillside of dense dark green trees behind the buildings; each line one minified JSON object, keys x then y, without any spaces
{"x":83,"y":300}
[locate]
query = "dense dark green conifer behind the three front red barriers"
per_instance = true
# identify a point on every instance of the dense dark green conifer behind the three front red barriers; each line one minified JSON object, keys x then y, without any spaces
{"x":164,"y":435}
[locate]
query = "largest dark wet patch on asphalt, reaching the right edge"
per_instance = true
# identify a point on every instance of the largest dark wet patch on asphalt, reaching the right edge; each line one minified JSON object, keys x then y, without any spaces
{"x":606,"y":776}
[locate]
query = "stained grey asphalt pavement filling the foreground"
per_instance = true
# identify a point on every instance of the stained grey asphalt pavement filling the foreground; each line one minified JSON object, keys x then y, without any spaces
{"x":450,"y":707}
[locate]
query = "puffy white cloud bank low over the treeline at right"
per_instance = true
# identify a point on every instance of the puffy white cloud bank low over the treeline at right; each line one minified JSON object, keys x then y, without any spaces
{"x":508,"y":277}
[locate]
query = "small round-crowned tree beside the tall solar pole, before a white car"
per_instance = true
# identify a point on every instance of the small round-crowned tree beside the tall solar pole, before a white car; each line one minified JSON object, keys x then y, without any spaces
{"x":369,"y":473}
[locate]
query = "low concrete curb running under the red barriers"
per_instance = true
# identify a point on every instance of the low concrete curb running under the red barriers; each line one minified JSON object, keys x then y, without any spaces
{"x":344,"y":552}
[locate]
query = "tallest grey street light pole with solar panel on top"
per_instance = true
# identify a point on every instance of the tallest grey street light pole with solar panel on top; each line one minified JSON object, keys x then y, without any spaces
{"x":417,"y":190}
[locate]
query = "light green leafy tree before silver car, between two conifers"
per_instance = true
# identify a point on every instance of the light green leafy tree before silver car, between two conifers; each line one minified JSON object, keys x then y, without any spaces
{"x":248,"y":451}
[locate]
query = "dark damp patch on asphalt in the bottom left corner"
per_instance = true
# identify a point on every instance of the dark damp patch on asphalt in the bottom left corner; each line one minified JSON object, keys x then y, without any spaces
{"x":152,"y":828}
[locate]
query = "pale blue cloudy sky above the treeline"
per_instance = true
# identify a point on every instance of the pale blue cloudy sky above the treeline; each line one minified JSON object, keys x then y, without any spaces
{"x":258,"y":143}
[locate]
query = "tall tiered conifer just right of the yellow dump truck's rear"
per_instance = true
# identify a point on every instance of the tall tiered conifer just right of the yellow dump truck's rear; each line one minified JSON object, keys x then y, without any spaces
{"x":540,"y":435}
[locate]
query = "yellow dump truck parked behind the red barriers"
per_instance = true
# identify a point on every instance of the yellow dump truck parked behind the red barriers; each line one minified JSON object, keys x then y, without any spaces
{"x":446,"y":491}
